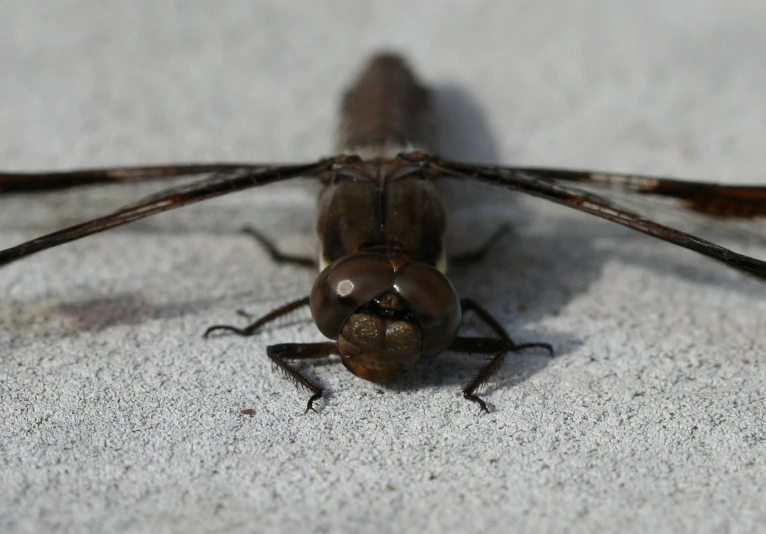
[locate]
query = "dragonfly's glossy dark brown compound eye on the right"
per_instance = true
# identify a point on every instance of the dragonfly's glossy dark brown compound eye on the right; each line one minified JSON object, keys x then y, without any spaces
{"x":434,"y":301}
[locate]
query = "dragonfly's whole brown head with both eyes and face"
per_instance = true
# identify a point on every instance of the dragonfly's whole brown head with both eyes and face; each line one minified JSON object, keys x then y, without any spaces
{"x":384,"y":314}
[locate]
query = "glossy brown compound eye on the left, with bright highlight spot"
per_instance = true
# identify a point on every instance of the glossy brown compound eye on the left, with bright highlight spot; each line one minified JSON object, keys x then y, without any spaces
{"x":345,"y":285}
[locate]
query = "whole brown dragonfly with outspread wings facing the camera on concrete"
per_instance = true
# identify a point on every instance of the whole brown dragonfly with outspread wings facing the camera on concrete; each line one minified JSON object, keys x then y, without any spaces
{"x":382,"y":297}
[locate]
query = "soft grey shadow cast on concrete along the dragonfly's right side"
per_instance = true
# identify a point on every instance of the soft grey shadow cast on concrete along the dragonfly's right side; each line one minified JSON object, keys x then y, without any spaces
{"x":515,"y":273}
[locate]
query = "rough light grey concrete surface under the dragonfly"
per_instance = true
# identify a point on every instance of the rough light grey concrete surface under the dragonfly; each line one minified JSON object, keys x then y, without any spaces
{"x":118,"y":417}
